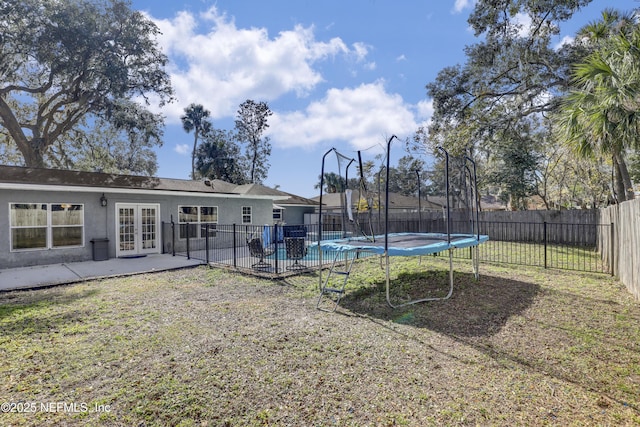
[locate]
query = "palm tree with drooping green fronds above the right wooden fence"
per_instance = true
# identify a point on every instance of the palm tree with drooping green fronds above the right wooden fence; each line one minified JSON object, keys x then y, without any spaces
{"x":602,"y":113}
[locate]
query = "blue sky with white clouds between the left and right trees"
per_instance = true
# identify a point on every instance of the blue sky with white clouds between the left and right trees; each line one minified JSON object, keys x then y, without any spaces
{"x":344,"y":74}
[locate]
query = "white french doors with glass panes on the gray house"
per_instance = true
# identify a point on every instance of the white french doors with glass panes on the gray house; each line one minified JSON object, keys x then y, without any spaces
{"x":137,"y":229}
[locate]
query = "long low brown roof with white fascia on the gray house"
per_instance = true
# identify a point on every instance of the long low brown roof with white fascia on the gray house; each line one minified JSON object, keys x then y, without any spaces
{"x":56,"y":179}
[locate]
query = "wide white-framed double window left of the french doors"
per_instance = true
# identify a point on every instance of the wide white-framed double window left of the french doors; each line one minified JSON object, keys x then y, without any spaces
{"x":46,"y":226}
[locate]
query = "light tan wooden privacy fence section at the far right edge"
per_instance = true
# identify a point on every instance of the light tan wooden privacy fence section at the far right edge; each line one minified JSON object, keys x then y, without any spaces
{"x":622,"y":249}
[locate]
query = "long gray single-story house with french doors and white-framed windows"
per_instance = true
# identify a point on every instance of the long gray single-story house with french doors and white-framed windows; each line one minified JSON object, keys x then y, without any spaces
{"x":52,"y":216}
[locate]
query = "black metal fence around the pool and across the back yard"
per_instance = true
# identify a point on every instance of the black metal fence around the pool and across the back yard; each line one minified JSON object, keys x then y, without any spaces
{"x":279,"y":250}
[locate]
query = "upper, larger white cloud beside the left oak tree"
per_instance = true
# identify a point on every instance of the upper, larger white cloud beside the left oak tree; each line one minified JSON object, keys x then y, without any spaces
{"x":224,"y":65}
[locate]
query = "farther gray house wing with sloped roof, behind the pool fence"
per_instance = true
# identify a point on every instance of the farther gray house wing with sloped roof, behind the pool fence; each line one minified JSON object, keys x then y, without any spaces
{"x":290,"y":210}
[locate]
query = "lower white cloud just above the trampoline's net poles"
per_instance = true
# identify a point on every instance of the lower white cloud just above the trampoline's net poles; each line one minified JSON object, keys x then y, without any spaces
{"x":361,"y":117}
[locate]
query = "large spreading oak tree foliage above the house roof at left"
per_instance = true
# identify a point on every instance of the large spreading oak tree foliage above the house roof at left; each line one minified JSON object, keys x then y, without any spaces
{"x":67,"y":61}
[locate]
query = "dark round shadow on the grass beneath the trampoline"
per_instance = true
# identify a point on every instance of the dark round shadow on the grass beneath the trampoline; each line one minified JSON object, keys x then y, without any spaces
{"x":476,"y":307}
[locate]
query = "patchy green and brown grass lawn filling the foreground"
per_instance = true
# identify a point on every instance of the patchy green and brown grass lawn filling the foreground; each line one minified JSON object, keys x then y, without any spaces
{"x":208,"y":347}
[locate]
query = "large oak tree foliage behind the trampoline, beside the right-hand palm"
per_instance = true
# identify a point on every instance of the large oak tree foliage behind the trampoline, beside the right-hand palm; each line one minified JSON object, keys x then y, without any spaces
{"x":495,"y":107}
